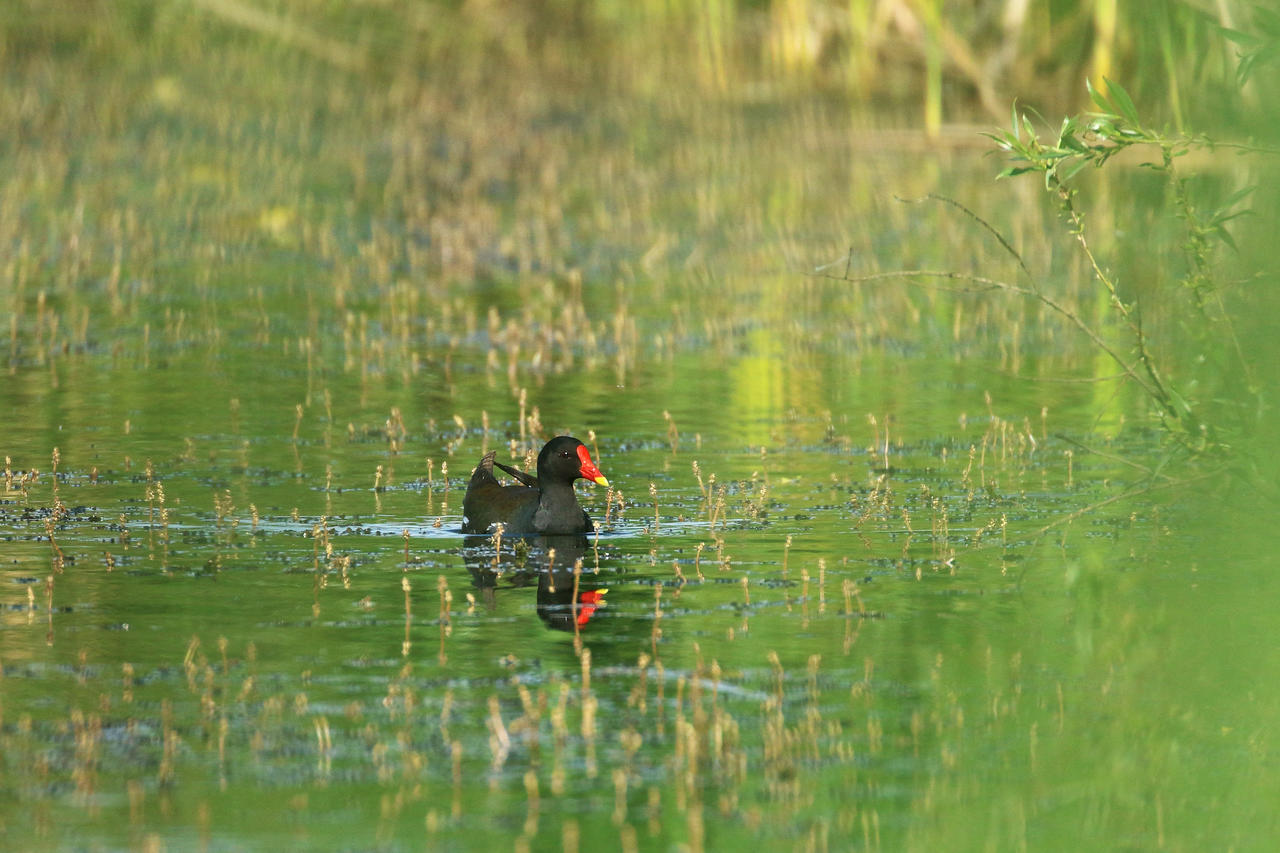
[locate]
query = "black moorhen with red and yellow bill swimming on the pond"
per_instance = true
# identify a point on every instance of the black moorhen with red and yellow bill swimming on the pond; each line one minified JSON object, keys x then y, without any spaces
{"x":545,"y":504}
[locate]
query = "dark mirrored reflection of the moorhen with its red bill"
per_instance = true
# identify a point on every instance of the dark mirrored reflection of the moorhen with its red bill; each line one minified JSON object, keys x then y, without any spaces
{"x":550,"y":559}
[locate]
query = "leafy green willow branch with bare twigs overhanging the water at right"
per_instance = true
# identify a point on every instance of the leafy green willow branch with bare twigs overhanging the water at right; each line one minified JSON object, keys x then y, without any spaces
{"x":1195,"y":418}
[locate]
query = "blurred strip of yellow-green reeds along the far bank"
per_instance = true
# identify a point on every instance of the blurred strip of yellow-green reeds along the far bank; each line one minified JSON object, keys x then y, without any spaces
{"x":948,"y":62}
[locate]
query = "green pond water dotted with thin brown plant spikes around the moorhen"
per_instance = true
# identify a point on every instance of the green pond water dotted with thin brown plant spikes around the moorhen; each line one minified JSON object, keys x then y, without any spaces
{"x":886,"y":563}
